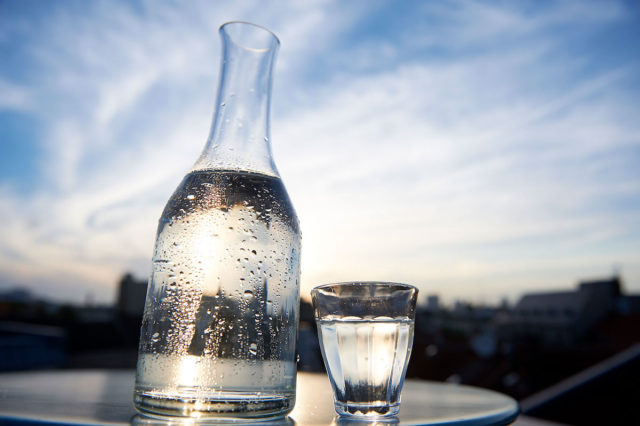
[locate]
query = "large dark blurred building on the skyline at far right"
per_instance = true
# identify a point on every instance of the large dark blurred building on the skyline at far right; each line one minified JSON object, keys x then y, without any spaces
{"x":561,"y":317}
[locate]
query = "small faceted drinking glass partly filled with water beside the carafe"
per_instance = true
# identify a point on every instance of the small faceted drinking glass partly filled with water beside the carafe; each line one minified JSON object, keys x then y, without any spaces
{"x":366,"y":334}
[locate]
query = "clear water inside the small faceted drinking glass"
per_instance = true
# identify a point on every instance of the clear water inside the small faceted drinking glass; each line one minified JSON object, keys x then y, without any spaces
{"x":366,"y":358}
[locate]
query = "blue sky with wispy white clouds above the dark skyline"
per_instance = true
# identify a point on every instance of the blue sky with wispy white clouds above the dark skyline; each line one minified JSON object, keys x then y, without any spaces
{"x":475,"y":149}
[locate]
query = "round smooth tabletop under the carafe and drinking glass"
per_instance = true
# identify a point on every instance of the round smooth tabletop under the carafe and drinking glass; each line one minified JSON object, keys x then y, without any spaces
{"x":105,"y":397}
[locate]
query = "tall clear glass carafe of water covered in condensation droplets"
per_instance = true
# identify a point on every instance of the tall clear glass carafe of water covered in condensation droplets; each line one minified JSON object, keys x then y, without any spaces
{"x":219,"y":329}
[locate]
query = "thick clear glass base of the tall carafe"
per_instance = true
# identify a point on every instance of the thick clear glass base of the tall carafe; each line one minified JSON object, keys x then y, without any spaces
{"x":226,"y":406}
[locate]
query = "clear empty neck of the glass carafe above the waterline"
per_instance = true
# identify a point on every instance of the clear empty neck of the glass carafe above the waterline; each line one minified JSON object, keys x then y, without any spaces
{"x":239,"y":138}
